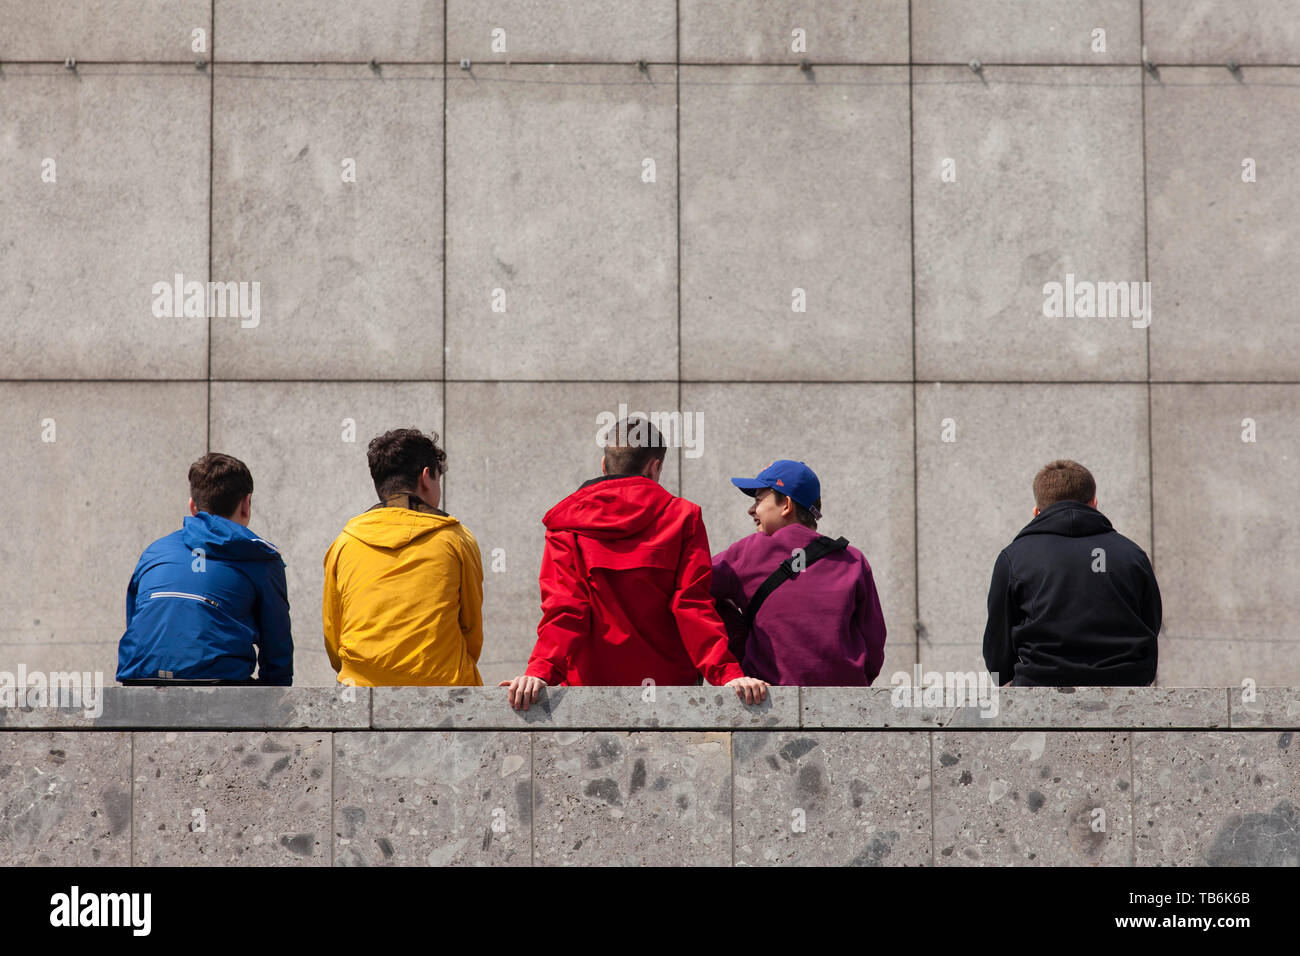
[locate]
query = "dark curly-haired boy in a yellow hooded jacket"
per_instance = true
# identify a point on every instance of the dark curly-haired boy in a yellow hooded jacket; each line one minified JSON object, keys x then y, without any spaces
{"x":405,"y":582}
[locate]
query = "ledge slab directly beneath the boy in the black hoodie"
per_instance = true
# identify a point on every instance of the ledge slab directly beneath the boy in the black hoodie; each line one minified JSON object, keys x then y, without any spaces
{"x":1012,"y":707}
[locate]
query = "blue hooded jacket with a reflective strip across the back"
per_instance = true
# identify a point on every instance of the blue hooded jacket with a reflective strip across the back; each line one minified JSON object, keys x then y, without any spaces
{"x":209,"y":603}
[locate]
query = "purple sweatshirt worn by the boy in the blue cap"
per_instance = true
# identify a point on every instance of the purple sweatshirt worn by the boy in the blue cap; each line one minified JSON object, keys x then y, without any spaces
{"x":822,"y":629}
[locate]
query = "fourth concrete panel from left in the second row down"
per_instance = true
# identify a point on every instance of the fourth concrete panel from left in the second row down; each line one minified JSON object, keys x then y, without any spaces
{"x":795,"y":196}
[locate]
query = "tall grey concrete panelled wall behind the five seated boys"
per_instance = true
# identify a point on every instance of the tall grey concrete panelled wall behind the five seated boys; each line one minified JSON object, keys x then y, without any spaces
{"x":525,"y":174}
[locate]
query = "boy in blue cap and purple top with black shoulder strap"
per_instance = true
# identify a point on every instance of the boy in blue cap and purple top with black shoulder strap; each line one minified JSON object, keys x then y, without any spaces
{"x":817,"y":618}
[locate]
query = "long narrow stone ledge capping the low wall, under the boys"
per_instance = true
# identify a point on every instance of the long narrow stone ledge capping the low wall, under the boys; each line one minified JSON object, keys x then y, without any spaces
{"x":661,"y":708}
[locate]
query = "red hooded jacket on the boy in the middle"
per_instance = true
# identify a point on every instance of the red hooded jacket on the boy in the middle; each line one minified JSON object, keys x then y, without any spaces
{"x":625,"y":583}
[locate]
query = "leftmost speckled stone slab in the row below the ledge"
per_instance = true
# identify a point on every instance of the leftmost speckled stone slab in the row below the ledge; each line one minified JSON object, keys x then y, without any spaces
{"x":66,"y":799}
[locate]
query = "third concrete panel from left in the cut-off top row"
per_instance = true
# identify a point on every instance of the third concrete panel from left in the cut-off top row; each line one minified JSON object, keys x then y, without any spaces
{"x":588,"y":31}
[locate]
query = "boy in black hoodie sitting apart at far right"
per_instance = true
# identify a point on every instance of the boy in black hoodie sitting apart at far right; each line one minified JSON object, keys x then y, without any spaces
{"x":1073,"y":602}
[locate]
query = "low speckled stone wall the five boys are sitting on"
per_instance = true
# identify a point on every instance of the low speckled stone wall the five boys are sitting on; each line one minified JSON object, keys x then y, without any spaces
{"x":604,"y":776}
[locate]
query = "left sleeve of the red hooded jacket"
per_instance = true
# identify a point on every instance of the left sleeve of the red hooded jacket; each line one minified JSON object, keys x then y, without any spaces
{"x":566,"y":609}
